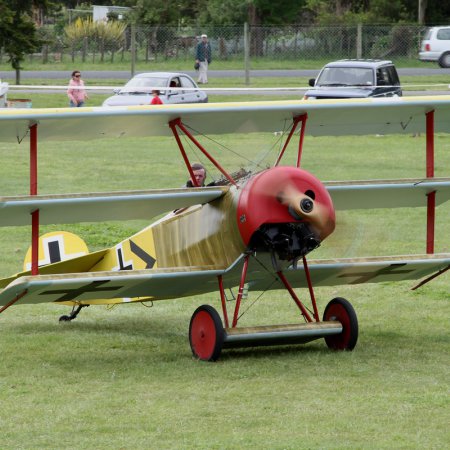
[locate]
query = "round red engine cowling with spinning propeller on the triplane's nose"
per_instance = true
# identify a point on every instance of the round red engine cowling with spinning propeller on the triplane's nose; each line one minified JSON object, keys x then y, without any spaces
{"x":285,"y":209}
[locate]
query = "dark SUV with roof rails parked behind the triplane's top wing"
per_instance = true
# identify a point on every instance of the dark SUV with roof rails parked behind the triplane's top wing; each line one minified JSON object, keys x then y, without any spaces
{"x":355,"y":78}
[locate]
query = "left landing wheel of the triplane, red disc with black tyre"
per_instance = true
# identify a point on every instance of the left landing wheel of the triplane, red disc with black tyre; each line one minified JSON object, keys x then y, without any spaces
{"x":206,"y":333}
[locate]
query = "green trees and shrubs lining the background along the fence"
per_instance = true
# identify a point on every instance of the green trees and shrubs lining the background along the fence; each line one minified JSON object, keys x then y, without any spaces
{"x":22,"y":33}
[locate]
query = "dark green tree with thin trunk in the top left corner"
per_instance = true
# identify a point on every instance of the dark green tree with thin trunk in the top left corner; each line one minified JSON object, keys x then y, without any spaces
{"x":18,"y":35}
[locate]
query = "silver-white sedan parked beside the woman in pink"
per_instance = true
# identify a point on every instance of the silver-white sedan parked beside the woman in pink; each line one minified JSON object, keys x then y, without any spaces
{"x":173,"y":87}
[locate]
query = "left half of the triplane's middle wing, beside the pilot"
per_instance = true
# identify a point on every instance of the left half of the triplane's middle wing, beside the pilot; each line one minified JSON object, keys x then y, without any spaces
{"x":102,"y":206}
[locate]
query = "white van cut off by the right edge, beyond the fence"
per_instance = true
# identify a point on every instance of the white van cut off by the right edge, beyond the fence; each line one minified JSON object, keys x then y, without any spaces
{"x":436,"y":46}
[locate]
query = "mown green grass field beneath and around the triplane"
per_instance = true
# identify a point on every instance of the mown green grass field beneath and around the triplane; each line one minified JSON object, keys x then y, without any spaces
{"x":124,"y":377}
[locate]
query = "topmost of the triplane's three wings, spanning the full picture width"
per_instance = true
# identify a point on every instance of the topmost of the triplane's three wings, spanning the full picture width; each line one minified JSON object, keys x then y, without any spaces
{"x":325,"y":117}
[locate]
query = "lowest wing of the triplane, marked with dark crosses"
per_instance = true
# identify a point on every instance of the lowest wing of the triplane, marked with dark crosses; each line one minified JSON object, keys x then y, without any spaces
{"x":160,"y":284}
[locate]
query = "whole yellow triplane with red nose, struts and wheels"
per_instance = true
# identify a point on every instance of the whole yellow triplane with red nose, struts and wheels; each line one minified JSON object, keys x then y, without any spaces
{"x":250,"y":230}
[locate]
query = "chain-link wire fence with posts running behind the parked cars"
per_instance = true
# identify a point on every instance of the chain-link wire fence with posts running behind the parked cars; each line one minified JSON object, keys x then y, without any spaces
{"x":159,"y":43}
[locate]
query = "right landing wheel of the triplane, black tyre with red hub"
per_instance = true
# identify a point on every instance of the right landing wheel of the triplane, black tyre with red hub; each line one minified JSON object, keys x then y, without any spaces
{"x":341,"y":310}
